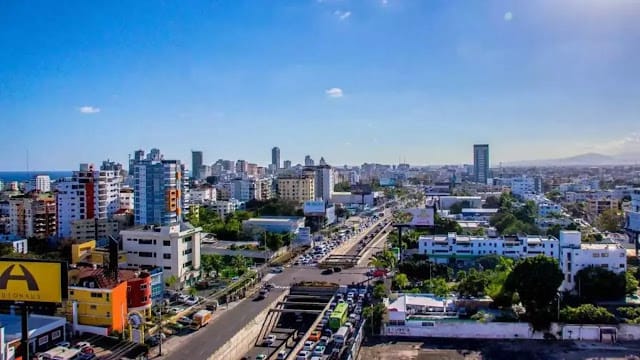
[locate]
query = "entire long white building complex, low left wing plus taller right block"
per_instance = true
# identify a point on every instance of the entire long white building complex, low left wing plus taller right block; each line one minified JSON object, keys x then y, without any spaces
{"x":572,"y":255}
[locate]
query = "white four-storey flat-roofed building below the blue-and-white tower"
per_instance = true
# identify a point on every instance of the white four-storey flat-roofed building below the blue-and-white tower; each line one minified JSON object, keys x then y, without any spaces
{"x":175,"y":248}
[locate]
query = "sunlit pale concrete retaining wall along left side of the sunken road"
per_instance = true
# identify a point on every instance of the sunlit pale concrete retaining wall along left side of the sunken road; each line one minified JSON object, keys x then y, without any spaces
{"x":245,"y":339}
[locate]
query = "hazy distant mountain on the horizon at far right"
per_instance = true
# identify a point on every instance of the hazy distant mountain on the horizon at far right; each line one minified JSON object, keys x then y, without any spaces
{"x":589,"y":159}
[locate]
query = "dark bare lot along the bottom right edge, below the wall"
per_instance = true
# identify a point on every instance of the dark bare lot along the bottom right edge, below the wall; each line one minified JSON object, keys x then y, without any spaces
{"x":461,"y":349}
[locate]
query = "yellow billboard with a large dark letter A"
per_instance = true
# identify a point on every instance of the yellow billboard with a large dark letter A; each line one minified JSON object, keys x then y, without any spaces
{"x":33,"y":280}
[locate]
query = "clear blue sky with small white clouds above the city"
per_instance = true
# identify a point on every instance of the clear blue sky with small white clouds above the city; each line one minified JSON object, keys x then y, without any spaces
{"x":353,"y":81}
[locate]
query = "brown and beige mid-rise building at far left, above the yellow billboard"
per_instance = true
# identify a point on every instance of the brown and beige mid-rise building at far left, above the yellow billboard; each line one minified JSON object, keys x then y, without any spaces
{"x":33,"y":216}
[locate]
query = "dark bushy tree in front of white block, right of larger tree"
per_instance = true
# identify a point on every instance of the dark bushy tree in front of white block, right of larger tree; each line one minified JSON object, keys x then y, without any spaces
{"x":599,"y":284}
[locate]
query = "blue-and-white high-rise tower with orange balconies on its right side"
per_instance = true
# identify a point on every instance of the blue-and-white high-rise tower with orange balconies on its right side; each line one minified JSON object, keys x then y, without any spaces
{"x":158,"y":191}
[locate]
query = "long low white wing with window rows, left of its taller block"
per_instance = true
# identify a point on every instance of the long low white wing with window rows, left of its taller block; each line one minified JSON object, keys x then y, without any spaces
{"x":442,"y":248}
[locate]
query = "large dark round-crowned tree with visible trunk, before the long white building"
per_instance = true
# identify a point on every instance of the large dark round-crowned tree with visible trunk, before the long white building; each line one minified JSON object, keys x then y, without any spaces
{"x":536,"y":280}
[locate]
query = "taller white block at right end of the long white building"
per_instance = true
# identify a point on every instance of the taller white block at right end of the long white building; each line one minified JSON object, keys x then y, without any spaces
{"x":576,"y":256}
